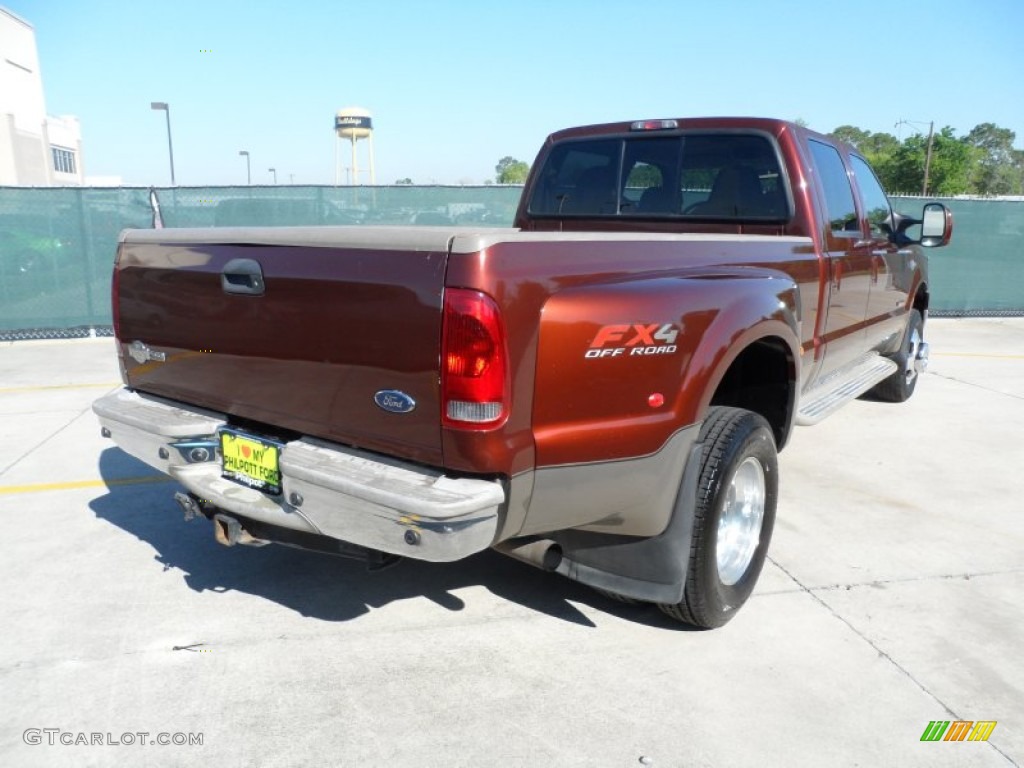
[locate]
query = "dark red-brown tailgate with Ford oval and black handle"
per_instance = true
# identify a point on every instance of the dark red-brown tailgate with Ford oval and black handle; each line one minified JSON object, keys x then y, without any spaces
{"x":334,"y":317}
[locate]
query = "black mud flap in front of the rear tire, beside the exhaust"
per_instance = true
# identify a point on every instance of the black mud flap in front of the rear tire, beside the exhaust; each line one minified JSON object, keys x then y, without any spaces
{"x":652,"y":570}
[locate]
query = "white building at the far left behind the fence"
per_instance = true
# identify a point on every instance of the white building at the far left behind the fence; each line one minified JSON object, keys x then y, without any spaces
{"x":35,"y":150}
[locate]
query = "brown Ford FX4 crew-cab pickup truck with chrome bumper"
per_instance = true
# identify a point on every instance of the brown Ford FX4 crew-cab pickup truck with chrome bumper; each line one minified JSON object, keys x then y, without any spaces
{"x":600,"y":392}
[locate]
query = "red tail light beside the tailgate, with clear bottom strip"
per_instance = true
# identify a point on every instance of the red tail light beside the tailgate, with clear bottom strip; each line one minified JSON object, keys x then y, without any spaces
{"x":475,"y":387}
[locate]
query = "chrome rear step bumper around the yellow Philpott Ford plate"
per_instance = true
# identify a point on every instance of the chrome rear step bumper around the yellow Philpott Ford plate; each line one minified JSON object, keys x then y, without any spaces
{"x":354,"y":496}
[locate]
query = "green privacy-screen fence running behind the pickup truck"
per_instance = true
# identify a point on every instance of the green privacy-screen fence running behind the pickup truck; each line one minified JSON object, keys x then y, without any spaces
{"x":57,"y":244}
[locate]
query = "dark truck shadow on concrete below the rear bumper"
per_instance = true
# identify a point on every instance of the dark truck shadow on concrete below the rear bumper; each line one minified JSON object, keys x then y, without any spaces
{"x":325,"y":587}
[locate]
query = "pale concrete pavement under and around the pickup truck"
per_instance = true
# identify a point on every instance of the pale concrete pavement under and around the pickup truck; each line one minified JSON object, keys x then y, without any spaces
{"x":892,"y":599}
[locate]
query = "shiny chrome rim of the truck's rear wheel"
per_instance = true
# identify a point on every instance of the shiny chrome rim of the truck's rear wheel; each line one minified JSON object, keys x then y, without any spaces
{"x":740,"y":524}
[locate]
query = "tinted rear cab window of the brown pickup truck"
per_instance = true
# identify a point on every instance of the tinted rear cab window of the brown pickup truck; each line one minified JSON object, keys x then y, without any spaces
{"x":729,"y":176}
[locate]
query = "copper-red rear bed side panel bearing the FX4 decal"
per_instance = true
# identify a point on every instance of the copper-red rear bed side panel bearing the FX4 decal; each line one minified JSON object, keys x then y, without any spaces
{"x":596,"y":410}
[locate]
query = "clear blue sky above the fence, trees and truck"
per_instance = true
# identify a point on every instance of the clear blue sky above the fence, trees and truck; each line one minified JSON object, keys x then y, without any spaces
{"x":454,"y":87}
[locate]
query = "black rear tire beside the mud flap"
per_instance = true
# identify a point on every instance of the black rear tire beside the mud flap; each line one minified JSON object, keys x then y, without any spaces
{"x":734,"y":439}
